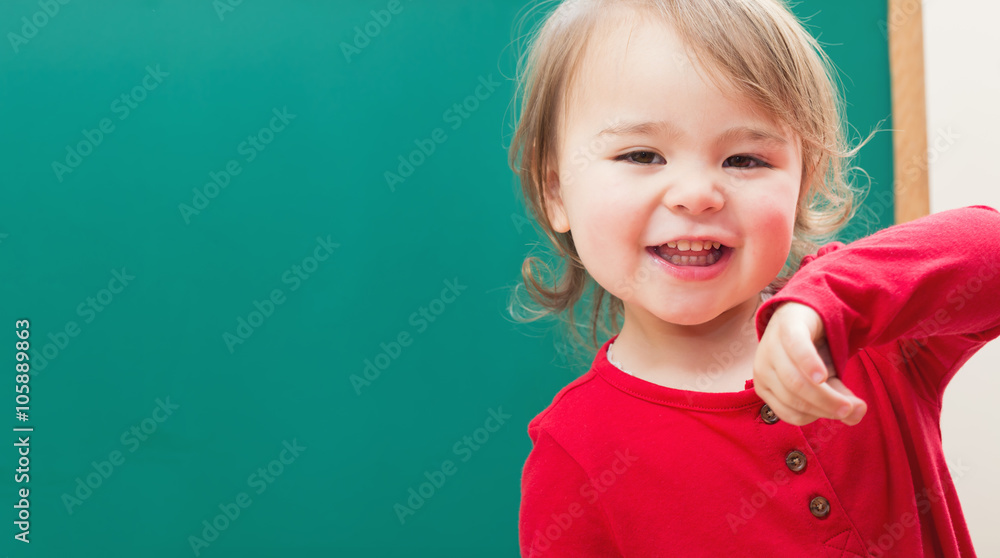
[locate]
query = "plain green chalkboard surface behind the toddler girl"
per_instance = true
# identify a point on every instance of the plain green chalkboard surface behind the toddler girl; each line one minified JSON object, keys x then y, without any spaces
{"x":198,"y":229}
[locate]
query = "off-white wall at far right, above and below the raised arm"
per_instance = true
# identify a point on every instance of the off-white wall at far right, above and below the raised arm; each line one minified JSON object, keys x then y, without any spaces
{"x":962,"y":43}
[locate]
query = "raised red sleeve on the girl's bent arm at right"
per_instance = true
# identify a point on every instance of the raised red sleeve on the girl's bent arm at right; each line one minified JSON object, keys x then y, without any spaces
{"x":924,"y":292}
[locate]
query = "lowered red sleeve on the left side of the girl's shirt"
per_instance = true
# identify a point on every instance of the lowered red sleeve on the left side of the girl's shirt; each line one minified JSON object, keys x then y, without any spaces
{"x":559,"y":516}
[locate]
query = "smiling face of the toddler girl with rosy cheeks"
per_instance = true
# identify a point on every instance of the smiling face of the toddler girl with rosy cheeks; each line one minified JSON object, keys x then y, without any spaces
{"x":651,"y":155}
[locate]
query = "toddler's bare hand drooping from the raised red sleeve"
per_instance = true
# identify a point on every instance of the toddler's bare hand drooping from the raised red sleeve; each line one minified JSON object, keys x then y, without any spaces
{"x":792,"y":350}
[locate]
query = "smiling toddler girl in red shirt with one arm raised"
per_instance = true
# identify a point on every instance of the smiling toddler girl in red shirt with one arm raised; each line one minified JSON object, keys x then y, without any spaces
{"x":770,"y":392}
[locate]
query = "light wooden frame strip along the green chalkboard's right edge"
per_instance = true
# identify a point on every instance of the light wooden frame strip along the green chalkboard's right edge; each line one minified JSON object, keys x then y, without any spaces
{"x":909,"y":109}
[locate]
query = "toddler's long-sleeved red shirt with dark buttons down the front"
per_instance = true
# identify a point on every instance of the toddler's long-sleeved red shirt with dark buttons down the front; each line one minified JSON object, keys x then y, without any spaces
{"x":622,"y":467}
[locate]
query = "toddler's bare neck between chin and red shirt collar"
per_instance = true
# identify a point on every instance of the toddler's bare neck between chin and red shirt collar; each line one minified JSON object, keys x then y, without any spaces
{"x":713,"y":356}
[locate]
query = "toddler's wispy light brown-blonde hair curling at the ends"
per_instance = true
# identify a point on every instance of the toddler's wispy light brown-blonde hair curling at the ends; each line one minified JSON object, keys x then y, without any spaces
{"x":755,"y":49}
